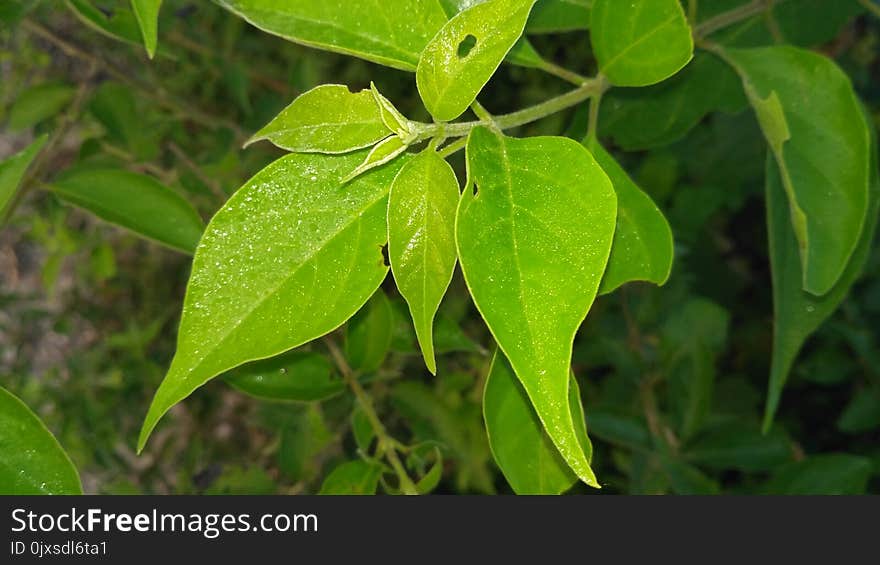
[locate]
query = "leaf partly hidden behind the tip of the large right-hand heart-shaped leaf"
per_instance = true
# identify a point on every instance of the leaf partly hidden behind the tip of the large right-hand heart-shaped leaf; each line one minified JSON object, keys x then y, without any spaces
{"x":526,"y":455}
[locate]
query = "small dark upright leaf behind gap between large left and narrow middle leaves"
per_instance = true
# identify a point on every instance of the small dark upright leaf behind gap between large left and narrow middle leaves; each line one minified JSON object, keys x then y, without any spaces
{"x":368,"y":334}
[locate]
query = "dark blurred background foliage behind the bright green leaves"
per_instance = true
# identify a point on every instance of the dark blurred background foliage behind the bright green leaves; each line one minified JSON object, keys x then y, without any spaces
{"x":673,"y":379}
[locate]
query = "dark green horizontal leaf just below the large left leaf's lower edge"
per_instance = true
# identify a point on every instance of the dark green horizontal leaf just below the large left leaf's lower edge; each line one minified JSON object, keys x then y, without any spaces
{"x":293,"y":376}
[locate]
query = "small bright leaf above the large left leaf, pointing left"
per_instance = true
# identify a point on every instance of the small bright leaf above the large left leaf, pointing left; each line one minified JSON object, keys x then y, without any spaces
{"x":326,"y":119}
